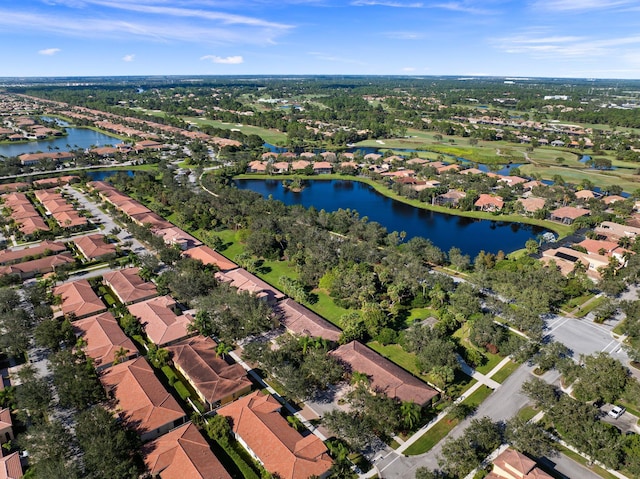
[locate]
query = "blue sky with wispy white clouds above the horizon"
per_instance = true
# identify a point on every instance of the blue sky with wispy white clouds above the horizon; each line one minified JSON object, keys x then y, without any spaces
{"x":520,"y":38}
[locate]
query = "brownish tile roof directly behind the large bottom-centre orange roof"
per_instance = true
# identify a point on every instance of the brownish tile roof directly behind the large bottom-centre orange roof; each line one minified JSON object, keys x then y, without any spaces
{"x":210,"y":374}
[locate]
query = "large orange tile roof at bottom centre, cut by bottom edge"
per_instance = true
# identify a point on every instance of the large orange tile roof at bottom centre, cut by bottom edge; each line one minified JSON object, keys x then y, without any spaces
{"x":282,"y":449}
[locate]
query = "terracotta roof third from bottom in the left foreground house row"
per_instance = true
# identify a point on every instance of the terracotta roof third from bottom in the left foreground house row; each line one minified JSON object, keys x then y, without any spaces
{"x":104,"y":338}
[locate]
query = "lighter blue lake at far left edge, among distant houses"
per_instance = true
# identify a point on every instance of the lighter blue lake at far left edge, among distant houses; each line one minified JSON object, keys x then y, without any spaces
{"x":76,"y":138}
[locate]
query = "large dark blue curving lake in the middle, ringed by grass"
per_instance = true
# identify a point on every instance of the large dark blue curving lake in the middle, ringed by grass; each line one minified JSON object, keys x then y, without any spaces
{"x":468,"y":234}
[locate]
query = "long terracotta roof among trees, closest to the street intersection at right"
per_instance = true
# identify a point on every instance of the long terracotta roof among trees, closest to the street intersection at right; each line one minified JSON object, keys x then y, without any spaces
{"x":384,"y":375}
